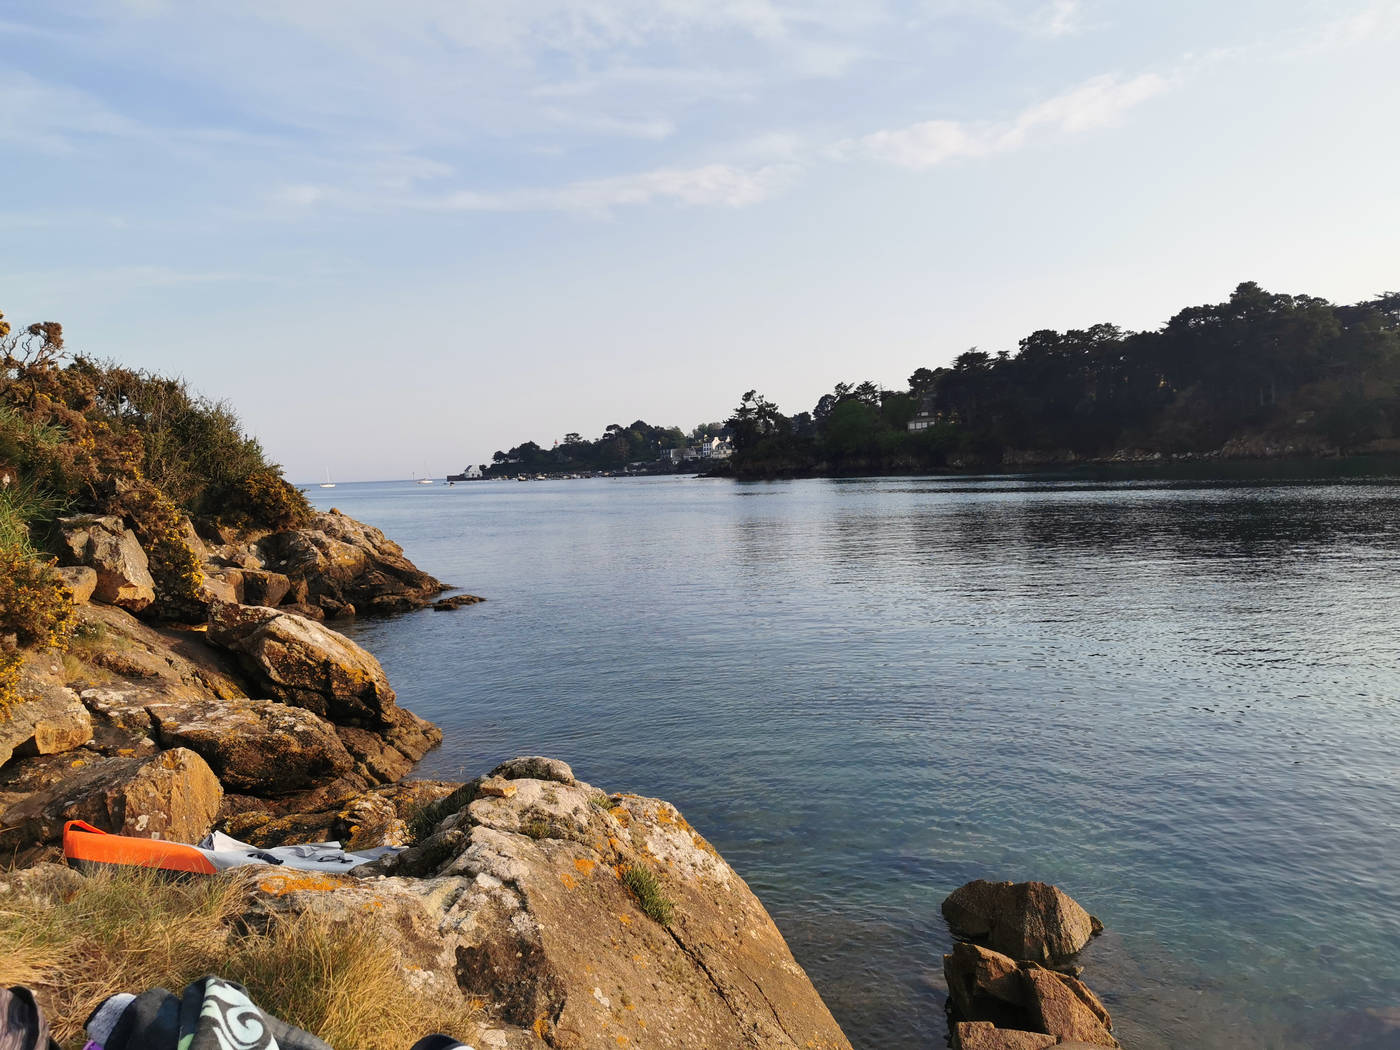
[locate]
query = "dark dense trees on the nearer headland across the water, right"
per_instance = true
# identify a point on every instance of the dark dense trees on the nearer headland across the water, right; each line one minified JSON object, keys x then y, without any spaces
{"x":1258,"y":374}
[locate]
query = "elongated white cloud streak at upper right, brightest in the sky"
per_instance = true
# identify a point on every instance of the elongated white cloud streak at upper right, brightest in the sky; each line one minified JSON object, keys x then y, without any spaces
{"x":1098,"y":103}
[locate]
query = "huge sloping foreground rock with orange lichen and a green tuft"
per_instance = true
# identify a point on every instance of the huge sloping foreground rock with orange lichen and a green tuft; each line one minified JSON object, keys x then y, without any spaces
{"x":523,"y":899}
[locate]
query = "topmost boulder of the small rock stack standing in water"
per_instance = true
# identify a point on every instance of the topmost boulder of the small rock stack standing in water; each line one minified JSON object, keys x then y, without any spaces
{"x":1025,"y":920}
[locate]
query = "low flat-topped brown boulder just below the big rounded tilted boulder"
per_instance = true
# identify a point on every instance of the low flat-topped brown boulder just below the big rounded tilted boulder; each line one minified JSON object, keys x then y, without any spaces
{"x":255,"y":747}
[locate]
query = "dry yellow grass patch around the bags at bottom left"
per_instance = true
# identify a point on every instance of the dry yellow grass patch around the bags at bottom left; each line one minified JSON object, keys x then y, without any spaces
{"x":135,"y":930}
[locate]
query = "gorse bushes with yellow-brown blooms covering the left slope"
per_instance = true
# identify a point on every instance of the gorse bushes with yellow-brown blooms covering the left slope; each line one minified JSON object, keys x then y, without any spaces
{"x":80,"y":436}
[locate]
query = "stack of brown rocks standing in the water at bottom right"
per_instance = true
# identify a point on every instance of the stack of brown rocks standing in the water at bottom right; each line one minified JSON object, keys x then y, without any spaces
{"x":1011,"y":985}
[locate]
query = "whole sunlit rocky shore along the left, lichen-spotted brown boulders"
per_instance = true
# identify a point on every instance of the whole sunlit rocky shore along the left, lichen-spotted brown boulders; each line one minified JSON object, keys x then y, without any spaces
{"x":572,"y":916}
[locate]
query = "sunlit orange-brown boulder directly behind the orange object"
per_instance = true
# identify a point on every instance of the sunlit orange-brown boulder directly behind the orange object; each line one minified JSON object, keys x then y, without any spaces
{"x":173,"y":796}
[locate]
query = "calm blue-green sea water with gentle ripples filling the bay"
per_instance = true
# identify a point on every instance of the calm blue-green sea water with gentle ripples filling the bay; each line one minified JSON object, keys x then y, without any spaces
{"x":1178,"y":701}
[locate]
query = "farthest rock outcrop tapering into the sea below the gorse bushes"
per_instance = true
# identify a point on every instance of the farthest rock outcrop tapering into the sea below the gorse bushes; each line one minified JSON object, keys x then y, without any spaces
{"x":348,"y":565}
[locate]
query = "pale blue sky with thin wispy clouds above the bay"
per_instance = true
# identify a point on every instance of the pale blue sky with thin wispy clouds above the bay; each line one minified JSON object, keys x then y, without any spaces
{"x":398,"y":237}
